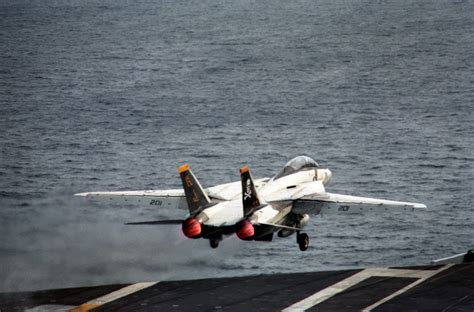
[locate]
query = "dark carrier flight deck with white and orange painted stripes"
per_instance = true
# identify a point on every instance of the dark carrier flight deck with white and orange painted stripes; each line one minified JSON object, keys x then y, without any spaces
{"x":441,"y":287}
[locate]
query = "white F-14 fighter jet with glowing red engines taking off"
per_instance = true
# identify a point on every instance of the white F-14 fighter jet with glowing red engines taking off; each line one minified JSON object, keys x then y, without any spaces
{"x":254,"y":209}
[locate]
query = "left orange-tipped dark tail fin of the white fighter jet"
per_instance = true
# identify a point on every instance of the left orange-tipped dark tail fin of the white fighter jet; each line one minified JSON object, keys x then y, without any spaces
{"x":195,"y":196}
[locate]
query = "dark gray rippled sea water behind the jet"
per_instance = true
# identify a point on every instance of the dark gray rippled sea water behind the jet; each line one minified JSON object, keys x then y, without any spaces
{"x":115,"y":96}
